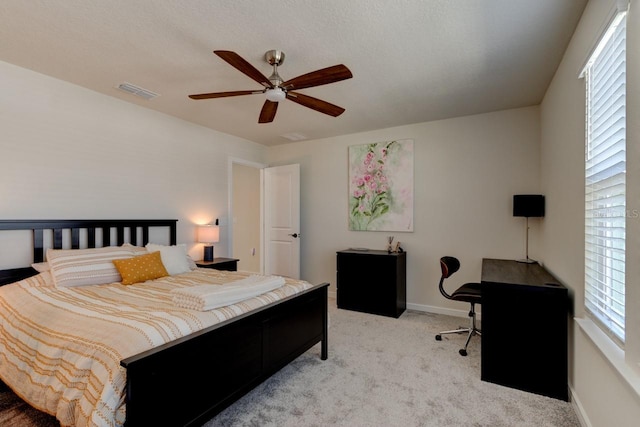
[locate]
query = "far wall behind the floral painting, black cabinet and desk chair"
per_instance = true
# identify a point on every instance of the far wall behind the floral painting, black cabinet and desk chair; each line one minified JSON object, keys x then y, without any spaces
{"x":466,"y":171}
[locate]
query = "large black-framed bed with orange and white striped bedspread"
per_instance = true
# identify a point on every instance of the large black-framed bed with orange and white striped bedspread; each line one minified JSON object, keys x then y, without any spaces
{"x":191,"y":368}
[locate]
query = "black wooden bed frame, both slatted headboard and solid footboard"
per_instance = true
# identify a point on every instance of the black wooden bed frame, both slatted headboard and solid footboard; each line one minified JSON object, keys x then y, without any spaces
{"x":189,"y":380}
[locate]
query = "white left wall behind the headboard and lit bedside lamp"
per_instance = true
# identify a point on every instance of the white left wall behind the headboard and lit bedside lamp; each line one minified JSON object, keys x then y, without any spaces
{"x":68,"y":152}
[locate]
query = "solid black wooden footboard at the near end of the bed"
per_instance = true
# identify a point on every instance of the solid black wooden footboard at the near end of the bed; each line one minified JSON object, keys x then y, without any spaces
{"x":188,"y":381}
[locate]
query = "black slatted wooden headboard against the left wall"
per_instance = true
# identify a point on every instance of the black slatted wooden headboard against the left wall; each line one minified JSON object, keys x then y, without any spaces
{"x":96,"y":229}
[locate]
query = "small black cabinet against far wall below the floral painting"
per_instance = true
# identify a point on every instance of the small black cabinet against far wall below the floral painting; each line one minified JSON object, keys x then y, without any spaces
{"x":372,"y":281}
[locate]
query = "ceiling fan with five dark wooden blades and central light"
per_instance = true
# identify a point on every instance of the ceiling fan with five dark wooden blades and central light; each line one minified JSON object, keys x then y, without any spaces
{"x":276,"y":89}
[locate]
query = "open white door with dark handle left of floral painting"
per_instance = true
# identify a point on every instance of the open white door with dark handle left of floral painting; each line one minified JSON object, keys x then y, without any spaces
{"x":282,"y":220}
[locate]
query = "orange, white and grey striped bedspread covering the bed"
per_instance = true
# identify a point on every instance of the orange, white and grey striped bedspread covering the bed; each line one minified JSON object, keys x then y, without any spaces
{"x":60,"y":348}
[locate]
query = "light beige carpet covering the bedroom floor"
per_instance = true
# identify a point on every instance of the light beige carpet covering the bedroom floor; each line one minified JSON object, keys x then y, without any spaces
{"x":380,"y":372}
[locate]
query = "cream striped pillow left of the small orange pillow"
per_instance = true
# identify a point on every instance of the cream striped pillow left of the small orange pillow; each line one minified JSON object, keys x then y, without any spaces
{"x":79,"y":267}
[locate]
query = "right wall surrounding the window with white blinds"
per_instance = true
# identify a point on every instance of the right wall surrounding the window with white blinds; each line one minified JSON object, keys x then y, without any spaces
{"x":602,"y":386}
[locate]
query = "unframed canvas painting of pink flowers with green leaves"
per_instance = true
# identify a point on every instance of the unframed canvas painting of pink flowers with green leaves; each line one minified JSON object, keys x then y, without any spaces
{"x":381,"y":186}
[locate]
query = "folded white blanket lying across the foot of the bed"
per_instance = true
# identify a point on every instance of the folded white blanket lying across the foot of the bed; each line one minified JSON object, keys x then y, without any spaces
{"x":208,"y":297}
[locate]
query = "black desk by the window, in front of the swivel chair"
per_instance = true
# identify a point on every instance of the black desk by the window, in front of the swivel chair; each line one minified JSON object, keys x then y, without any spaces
{"x":524,"y":328}
